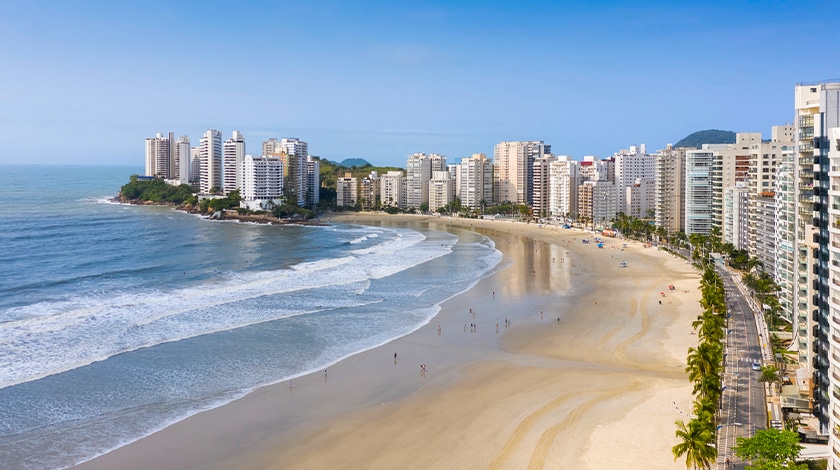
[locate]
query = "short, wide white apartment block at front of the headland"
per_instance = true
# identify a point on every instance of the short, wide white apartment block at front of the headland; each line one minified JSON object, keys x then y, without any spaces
{"x":262,"y":181}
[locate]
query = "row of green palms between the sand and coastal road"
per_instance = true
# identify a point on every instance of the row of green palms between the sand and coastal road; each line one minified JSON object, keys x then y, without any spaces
{"x":698,"y":436}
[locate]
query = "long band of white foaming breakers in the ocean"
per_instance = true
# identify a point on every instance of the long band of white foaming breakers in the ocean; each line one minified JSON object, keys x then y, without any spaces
{"x":56,"y":336}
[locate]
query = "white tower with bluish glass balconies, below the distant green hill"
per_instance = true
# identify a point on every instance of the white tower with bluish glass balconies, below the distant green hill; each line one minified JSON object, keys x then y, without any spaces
{"x":698,"y":191}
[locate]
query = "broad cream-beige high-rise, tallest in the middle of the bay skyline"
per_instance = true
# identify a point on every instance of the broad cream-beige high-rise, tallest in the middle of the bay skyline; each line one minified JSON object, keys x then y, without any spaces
{"x":513,"y":170}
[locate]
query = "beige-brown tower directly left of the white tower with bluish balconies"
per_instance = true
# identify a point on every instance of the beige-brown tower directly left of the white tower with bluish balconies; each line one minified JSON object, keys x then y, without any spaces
{"x":670,"y":189}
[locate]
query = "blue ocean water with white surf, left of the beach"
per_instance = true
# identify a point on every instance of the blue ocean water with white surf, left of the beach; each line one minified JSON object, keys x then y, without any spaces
{"x":118,"y":320}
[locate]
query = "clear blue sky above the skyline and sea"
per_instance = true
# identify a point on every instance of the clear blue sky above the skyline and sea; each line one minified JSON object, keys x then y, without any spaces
{"x":86,"y":82}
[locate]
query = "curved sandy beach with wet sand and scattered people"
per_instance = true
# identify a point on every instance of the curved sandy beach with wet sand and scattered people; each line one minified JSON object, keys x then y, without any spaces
{"x":573,"y":362}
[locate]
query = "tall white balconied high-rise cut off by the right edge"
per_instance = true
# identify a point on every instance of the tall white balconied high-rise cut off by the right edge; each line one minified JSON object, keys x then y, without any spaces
{"x":817,"y":134}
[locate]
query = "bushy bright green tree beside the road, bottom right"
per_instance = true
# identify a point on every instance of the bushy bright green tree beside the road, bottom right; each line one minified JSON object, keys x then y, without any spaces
{"x":771,"y":449}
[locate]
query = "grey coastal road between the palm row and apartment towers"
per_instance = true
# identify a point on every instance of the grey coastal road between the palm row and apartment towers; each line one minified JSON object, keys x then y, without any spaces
{"x":743,"y":408}
